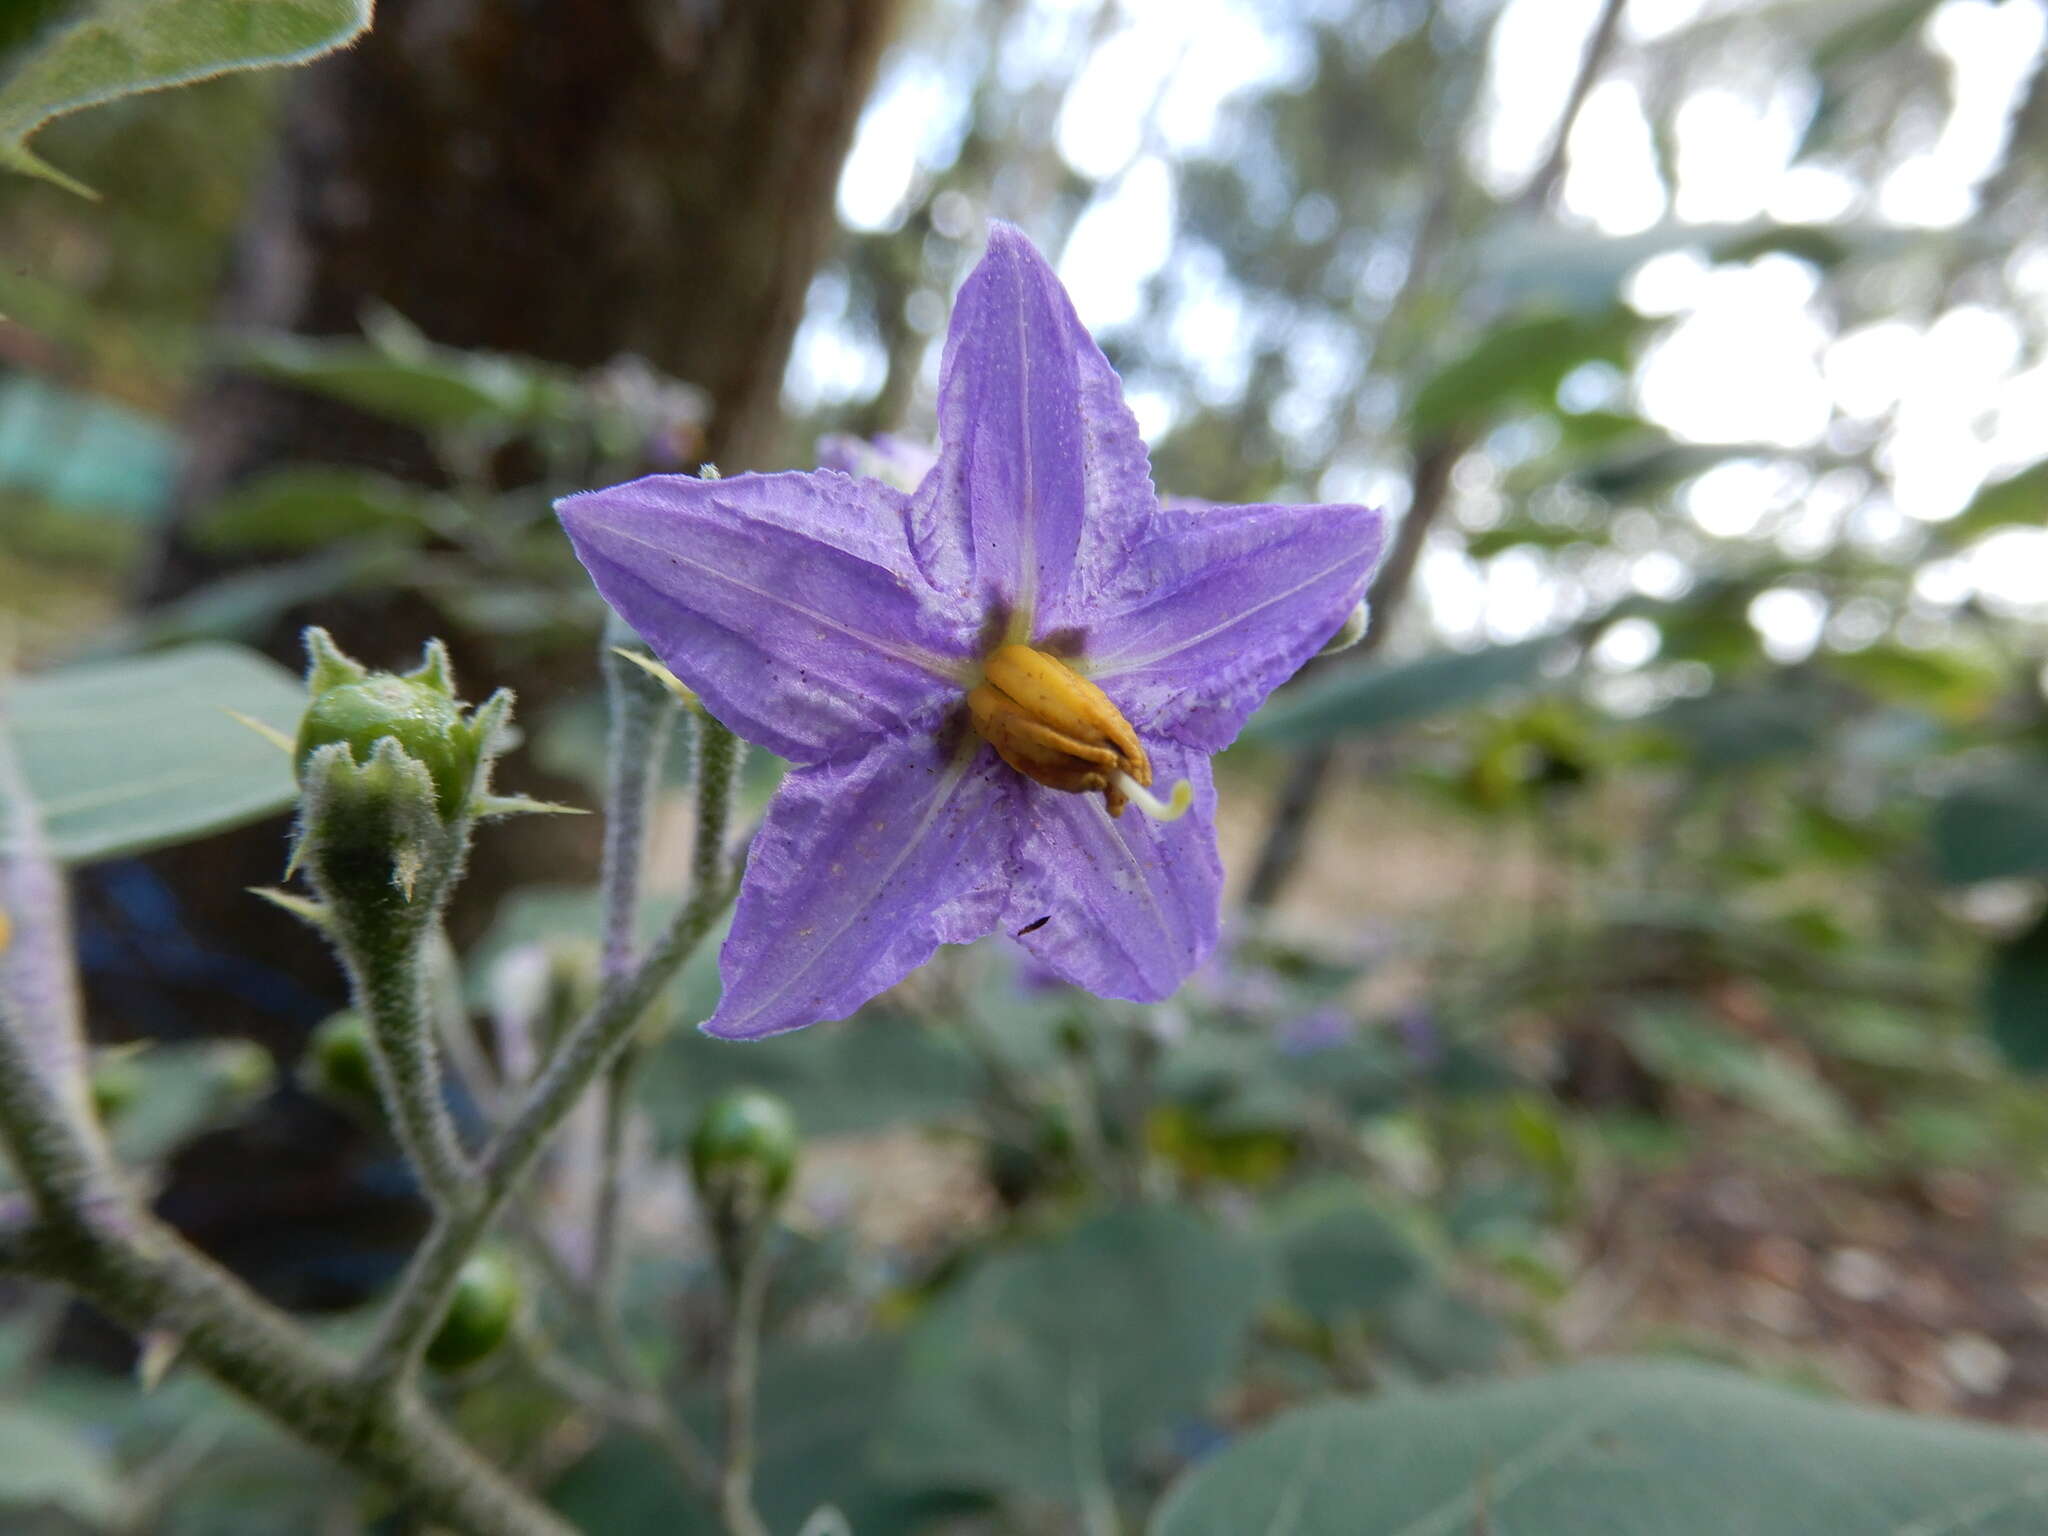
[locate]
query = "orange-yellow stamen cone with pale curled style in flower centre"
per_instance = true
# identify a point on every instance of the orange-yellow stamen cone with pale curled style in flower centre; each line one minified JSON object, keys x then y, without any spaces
{"x":1060,"y":730}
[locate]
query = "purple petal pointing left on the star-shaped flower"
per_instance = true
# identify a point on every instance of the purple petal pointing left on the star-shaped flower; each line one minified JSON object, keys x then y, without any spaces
{"x":787,"y":601}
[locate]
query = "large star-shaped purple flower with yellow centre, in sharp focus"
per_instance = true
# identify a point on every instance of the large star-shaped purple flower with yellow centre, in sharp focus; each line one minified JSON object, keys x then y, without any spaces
{"x":978,"y":677}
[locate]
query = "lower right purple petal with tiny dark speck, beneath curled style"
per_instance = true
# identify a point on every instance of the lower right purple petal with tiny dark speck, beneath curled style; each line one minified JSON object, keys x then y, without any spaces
{"x":1129,"y":904}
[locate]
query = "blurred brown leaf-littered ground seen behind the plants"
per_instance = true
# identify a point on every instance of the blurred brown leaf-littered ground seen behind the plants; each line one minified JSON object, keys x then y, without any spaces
{"x":1918,"y":1289}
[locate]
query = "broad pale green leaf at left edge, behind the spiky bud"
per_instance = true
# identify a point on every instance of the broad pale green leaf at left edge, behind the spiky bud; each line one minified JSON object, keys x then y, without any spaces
{"x":142,"y":753}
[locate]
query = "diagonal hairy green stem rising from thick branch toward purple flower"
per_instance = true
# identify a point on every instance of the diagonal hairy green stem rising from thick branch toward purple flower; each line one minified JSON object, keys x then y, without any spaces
{"x":593,"y":1043}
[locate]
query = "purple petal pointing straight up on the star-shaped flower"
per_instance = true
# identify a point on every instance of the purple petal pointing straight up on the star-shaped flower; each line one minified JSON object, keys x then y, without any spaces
{"x":1041,"y":484}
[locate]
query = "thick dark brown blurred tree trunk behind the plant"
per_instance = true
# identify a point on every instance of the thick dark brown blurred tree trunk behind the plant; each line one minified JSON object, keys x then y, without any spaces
{"x":568,"y":179}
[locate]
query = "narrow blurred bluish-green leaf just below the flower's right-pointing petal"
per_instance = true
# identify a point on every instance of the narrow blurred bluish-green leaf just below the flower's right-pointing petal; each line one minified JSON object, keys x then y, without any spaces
{"x":1381,"y":697}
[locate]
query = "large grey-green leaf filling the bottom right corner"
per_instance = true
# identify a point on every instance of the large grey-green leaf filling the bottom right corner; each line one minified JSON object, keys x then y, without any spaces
{"x":1633,"y":1449}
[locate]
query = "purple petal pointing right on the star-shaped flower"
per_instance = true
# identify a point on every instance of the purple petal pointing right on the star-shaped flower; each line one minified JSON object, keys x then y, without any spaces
{"x":1226,"y":605}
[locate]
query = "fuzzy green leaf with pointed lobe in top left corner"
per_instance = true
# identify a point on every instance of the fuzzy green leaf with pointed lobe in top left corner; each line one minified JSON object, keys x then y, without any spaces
{"x":126,"y":46}
